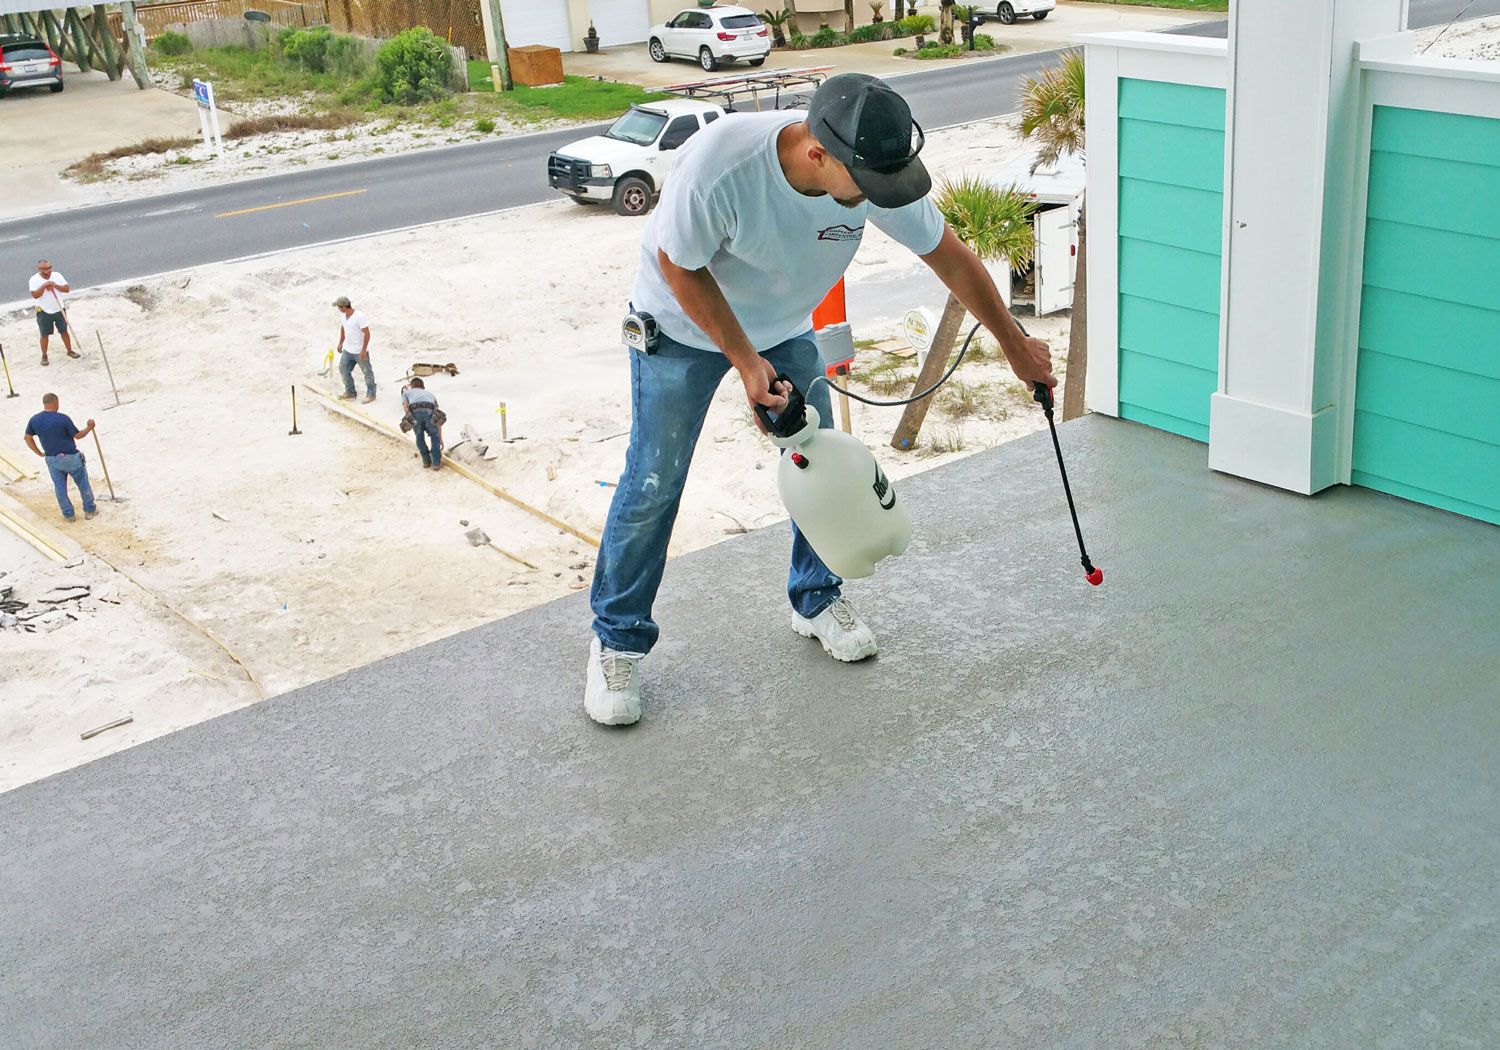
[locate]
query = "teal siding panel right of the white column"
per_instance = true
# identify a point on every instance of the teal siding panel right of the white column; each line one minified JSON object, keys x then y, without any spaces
{"x":1427,"y":401}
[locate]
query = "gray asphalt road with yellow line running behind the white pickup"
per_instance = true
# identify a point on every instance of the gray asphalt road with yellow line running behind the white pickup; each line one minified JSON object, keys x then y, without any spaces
{"x":134,"y":239}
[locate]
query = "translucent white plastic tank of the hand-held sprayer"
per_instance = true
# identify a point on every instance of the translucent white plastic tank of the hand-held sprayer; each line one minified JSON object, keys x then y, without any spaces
{"x":841,"y":499}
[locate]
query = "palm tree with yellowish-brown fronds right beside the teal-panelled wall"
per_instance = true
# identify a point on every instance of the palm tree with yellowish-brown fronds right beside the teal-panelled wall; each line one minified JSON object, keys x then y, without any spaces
{"x":1052,"y":113}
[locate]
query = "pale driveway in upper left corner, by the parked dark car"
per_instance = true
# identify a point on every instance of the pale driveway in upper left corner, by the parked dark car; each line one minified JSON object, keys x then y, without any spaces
{"x":41,"y":134}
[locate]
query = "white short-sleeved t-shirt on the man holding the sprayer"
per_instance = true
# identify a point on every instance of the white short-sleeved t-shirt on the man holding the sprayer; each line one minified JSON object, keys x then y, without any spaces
{"x":773,"y":251}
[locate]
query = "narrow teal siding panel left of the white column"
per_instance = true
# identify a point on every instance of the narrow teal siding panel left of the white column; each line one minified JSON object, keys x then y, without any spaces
{"x":1171,"y":241}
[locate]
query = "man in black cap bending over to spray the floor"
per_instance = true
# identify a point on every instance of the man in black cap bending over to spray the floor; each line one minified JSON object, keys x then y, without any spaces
{"x":761,"y":218}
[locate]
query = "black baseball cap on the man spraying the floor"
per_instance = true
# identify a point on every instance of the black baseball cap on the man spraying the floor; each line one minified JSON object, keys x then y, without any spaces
{"x":869,"y":130}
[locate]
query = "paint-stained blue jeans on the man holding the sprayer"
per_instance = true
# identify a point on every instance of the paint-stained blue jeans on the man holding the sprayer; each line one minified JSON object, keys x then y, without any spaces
{"x":670,"y":395}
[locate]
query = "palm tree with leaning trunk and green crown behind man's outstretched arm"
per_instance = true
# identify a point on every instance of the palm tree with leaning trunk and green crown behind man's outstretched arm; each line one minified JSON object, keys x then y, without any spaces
{"x":997,"y":224}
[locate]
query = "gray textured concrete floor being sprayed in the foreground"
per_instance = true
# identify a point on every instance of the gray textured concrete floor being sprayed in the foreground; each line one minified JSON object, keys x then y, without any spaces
{"x":1244,"y":794}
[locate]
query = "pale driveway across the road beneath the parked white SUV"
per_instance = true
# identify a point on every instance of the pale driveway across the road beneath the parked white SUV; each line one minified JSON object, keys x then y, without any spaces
{"x":632,"y":65}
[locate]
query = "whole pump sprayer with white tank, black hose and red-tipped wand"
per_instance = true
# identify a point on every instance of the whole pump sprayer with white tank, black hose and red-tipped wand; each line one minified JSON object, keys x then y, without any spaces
{"x":841,"y":499}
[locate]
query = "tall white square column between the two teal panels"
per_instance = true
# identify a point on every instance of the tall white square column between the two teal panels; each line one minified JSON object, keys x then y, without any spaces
{"x":1289,"y":209}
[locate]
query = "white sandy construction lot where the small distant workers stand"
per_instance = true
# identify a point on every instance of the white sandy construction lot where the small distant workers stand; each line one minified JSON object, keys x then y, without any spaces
{"x":314,"y":554}
